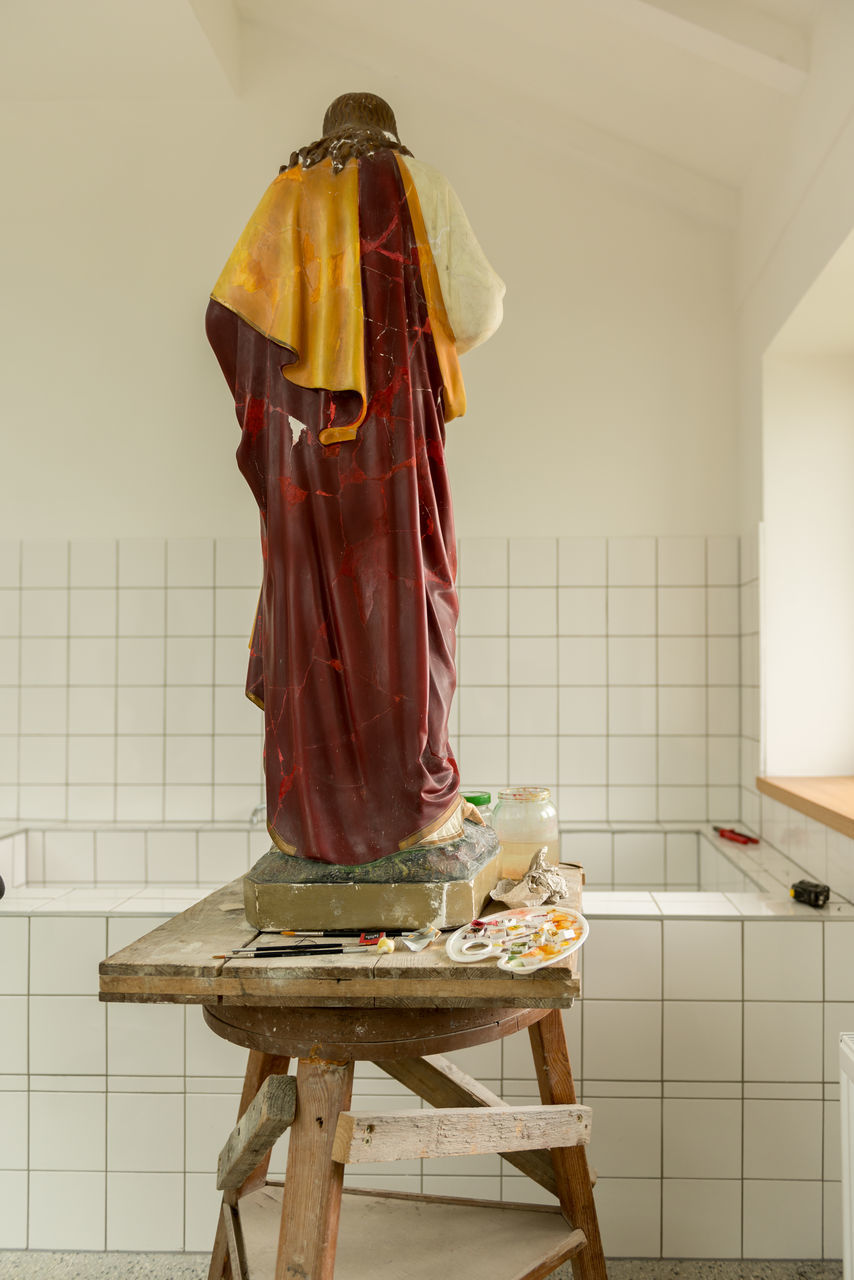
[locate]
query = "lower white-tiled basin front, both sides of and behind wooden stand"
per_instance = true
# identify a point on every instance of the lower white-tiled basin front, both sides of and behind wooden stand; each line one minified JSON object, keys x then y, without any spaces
{"x":709,"y":1057}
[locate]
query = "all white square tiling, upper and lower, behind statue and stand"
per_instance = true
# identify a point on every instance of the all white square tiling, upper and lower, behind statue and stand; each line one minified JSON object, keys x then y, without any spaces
{"x":624,"y":673}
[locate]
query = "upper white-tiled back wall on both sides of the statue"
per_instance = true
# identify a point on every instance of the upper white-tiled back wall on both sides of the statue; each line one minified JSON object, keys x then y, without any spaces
{"x":606,"y":669}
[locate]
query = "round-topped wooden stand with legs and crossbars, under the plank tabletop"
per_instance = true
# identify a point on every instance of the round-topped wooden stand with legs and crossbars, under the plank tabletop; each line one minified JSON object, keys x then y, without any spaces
{"x":389,"y":1235}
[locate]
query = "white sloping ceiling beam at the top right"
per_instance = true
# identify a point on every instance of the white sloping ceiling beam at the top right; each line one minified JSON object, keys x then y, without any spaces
{"x":732,"y":34}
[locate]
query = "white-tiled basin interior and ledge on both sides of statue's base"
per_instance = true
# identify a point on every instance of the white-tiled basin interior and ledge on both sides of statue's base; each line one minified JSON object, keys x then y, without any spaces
{"x":647,"y":863}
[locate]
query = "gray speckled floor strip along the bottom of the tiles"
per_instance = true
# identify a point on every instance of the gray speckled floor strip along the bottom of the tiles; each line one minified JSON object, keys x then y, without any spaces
{"x":194,"y":1267}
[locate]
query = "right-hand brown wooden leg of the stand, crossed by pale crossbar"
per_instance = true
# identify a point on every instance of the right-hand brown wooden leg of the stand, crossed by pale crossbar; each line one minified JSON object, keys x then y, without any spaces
{"x":572,"y":1172}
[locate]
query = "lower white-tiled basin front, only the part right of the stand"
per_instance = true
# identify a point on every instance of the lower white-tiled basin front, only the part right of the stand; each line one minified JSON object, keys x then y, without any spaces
{"x":739,"y":1081}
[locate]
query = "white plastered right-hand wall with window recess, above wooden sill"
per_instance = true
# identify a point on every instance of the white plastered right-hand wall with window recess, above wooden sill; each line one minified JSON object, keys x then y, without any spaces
{"x":798,"y":209}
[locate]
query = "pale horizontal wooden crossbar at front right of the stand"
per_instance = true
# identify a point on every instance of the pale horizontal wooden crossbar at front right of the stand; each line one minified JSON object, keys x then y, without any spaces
{"x":456,"y":1132}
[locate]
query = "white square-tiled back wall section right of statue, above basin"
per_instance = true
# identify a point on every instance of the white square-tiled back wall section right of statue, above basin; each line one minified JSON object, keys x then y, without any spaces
{"x":608,"y":669}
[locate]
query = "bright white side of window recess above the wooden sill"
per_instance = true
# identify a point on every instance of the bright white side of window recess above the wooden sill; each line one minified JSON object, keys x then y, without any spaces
{"x":809,"y":564}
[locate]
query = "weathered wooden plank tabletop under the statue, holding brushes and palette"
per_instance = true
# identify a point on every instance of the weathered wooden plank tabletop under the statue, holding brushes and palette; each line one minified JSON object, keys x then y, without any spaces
{"x":175,"y":964}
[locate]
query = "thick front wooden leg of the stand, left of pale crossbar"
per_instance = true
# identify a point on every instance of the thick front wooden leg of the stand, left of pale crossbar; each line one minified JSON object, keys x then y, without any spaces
{"x":313,"y":1182}
